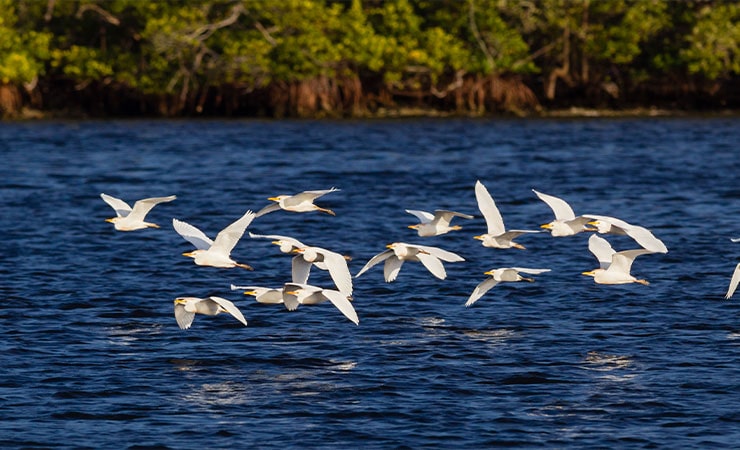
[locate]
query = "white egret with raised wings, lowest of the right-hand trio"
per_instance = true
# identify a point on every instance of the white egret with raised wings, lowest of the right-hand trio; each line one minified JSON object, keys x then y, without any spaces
{"x":614,"y":266}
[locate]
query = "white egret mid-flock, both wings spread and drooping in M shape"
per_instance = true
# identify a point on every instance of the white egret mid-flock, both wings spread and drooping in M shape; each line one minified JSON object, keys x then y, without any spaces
{"x":398,"y":252}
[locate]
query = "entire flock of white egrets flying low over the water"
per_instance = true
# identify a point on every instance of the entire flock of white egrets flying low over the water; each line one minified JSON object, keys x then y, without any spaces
{"x":614,"y":267}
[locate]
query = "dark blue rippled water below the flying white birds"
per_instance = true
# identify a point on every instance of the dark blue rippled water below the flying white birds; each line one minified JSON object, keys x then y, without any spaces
{"x":91,"y":355}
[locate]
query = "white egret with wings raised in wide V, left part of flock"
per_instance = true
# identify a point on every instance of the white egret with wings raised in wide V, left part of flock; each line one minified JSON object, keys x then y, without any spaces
{"x":215,"y":253}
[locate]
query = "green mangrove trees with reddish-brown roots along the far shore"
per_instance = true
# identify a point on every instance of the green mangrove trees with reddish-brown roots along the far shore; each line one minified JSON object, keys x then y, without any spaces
{"x":368,"y":58}
